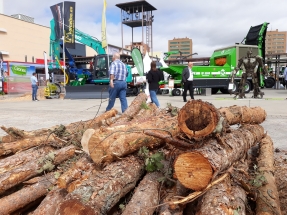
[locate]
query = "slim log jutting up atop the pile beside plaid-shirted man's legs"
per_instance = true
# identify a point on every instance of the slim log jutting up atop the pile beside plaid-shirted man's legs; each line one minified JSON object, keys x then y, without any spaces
{"x":133,"y":109}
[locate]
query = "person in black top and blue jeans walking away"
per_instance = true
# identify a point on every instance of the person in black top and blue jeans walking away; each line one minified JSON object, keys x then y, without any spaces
{"x":153,"y":77}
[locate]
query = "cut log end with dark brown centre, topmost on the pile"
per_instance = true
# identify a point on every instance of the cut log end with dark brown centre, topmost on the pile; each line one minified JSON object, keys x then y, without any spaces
{"x":197,"y":118}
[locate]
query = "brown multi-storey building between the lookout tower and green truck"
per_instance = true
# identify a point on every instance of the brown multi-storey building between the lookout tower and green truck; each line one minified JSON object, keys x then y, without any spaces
{"x":182,"y":45}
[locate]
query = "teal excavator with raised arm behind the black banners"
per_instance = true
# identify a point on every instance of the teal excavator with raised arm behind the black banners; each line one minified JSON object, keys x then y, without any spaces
{"x":89,"y":83}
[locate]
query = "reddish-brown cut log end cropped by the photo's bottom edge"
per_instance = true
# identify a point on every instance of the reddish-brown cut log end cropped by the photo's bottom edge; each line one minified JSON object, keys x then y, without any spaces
{"x":74,"y":207}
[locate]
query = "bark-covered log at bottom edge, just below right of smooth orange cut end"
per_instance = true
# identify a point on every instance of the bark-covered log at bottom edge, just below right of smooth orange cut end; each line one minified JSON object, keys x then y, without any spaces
{"x":223,"y":199}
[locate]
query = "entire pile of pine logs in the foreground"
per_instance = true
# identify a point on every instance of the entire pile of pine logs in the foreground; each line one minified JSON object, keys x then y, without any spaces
{"x":193,"y":160}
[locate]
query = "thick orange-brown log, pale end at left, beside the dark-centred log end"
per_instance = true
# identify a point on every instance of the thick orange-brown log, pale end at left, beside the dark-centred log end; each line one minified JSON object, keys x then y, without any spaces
{"x":105,"y":147}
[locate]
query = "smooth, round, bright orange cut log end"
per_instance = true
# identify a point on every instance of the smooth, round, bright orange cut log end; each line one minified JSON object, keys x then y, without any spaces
{"x":193,"y":170}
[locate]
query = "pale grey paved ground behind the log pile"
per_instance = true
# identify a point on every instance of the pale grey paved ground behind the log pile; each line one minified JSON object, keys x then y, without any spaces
{"x":29,"y":115}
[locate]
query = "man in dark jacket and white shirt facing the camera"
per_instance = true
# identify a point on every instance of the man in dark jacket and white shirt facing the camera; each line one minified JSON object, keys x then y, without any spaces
{"x":187,"y":80}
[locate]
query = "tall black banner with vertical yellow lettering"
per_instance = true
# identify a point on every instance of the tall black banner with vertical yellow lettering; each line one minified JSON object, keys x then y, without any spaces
{"x":69,"y":24}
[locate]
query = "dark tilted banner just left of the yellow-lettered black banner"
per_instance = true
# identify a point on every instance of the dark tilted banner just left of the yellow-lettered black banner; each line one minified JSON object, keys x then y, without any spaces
{"x":57,"y":11}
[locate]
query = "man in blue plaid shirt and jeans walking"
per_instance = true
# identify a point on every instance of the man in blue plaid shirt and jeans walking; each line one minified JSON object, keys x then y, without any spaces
{"x":118,"y":85}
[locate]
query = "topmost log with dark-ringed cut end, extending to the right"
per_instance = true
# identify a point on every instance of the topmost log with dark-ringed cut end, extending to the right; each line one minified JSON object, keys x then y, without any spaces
{"x":199,"y":119}
